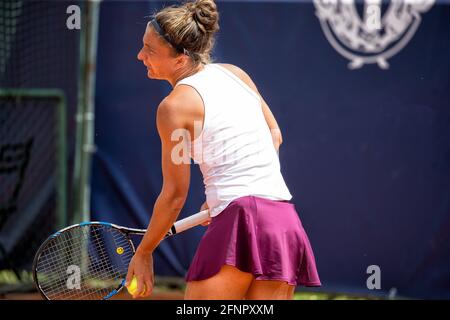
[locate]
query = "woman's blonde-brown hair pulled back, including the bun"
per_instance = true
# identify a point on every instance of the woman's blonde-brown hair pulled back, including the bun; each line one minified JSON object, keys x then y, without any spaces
{"x":191,"y":26}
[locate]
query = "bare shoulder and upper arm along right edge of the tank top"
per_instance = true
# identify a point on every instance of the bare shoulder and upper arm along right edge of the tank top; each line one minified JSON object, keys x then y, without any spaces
{"x":268,"y":115}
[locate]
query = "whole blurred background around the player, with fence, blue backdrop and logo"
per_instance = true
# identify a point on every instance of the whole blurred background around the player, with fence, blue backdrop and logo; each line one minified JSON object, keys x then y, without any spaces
{"x":360,"y":89}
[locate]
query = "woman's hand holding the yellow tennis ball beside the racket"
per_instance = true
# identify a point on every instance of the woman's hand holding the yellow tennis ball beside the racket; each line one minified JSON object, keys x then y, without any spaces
{"x":141,"y":266}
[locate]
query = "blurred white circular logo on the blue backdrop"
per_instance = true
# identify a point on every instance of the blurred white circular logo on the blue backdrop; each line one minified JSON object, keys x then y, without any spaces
{"x":374,"y":38}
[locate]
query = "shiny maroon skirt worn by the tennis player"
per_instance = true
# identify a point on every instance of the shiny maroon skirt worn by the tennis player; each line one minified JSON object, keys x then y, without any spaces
{"x":259,"y":236}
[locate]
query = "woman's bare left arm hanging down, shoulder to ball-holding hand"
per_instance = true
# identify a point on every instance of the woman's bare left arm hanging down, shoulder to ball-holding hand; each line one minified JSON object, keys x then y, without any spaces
{"x":176,"y":177}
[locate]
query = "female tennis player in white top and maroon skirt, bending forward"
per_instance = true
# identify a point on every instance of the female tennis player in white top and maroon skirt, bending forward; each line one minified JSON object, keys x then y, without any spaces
{"x":255,"y":246}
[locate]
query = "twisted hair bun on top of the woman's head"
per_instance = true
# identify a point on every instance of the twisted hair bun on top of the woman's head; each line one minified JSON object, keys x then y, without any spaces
{"x":205,"y":14}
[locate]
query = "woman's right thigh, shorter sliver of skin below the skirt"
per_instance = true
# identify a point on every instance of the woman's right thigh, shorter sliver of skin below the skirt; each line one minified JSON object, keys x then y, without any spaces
{"x":270,"y":290}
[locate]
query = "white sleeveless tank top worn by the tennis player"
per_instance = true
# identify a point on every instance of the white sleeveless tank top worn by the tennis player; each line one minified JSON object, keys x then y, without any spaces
{"x":235,"y":150}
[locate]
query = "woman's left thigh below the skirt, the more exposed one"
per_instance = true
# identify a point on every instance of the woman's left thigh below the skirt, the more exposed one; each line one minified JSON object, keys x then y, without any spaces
{"x":228,"y":284}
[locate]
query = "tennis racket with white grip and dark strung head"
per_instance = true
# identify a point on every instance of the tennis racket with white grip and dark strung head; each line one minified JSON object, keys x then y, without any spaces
{"x":89,"y":261}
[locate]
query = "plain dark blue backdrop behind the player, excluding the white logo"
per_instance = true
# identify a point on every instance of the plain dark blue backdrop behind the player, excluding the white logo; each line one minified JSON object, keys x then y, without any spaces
{"x":366,"y":152}
